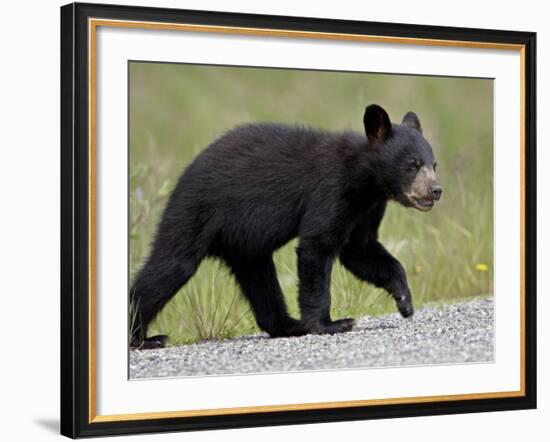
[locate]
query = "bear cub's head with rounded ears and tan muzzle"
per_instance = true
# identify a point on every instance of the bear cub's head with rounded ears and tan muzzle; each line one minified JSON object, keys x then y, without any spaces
{"x":403,"y":161}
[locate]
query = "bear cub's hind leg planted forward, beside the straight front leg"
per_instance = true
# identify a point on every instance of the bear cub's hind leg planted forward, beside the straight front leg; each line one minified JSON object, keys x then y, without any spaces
{"x":258,"y":281}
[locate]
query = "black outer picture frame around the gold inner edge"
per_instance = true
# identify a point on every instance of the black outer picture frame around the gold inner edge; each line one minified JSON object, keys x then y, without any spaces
{"x":76,"y":417}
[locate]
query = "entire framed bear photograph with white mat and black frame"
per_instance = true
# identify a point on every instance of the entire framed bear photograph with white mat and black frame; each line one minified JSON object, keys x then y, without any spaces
{"x":274,"y":220}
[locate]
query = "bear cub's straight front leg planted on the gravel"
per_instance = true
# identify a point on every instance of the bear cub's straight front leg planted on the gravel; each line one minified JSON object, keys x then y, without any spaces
{"x":314,"y":270}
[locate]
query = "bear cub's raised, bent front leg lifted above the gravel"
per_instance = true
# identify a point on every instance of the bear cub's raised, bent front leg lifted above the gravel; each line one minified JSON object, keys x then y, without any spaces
{"x":371,"y":262}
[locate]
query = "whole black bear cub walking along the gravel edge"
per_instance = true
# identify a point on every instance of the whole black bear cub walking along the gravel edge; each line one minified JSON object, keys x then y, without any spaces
{"x":261,"y":185}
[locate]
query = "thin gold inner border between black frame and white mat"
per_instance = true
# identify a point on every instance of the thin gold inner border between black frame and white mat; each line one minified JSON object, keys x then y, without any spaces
{"x":93,"y":24}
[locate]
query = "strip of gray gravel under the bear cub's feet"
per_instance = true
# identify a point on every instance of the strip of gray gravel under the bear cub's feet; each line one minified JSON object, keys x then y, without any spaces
{"x":458,"y":333}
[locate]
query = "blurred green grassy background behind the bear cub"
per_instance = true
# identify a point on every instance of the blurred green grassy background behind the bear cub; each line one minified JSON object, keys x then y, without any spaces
{"x":177,"y":110}
